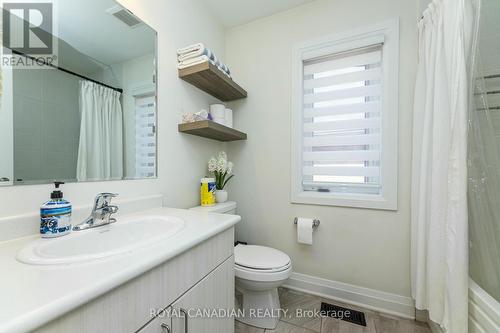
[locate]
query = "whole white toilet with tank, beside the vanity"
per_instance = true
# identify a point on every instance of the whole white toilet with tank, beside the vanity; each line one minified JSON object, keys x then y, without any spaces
{"x":259,"y":271}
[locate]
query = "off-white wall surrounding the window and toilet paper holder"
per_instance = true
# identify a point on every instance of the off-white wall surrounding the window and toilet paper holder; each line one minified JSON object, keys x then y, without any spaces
{"x":363,"y":247}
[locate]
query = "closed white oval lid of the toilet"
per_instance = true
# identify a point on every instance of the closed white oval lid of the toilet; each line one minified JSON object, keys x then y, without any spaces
{"x":260,"y":257}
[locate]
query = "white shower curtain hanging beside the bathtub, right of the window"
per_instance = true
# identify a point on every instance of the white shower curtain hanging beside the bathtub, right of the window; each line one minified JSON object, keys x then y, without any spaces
{"x":439,"y":178}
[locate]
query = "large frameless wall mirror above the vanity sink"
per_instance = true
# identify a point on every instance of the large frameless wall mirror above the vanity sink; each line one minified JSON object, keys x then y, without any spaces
{"x":89,"y":116}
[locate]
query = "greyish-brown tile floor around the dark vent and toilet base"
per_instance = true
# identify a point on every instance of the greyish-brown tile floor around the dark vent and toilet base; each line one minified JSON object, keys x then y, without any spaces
{"x":293,"y":301}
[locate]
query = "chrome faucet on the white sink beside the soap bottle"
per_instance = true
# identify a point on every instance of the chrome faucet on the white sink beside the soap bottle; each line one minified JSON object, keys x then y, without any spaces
{"x":101,"y":213}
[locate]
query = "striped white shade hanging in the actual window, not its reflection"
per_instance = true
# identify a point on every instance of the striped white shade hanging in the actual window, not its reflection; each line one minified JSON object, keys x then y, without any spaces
{"x":341,"y":130}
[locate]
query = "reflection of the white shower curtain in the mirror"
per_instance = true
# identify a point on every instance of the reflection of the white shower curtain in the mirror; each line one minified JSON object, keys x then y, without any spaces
{"x":100,"y":153}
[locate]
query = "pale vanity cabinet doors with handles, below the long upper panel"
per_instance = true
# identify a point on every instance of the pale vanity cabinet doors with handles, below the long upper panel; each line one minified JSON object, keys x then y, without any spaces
{"x":205,"y":308}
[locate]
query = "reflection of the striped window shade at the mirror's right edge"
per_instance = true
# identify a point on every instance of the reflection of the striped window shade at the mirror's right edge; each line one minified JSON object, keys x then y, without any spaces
{"x":145,"y":137}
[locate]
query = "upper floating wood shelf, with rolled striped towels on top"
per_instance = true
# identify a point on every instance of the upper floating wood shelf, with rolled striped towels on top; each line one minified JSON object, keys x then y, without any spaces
{"x":212,"y":80}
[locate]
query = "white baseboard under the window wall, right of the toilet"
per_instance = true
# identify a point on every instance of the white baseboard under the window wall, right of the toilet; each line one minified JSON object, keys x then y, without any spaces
{"x":371,"y":299}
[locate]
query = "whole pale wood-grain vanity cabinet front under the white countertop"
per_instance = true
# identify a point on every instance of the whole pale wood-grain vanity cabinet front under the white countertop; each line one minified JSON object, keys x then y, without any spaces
{"x":199,"y":278}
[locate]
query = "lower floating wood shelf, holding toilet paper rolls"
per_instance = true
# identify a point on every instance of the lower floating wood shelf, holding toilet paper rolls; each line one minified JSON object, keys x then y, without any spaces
{"x":212,"y":130}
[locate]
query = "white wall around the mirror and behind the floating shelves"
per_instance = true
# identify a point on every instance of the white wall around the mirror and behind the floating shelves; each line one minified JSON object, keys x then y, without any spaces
{"x":182,"y":158}
